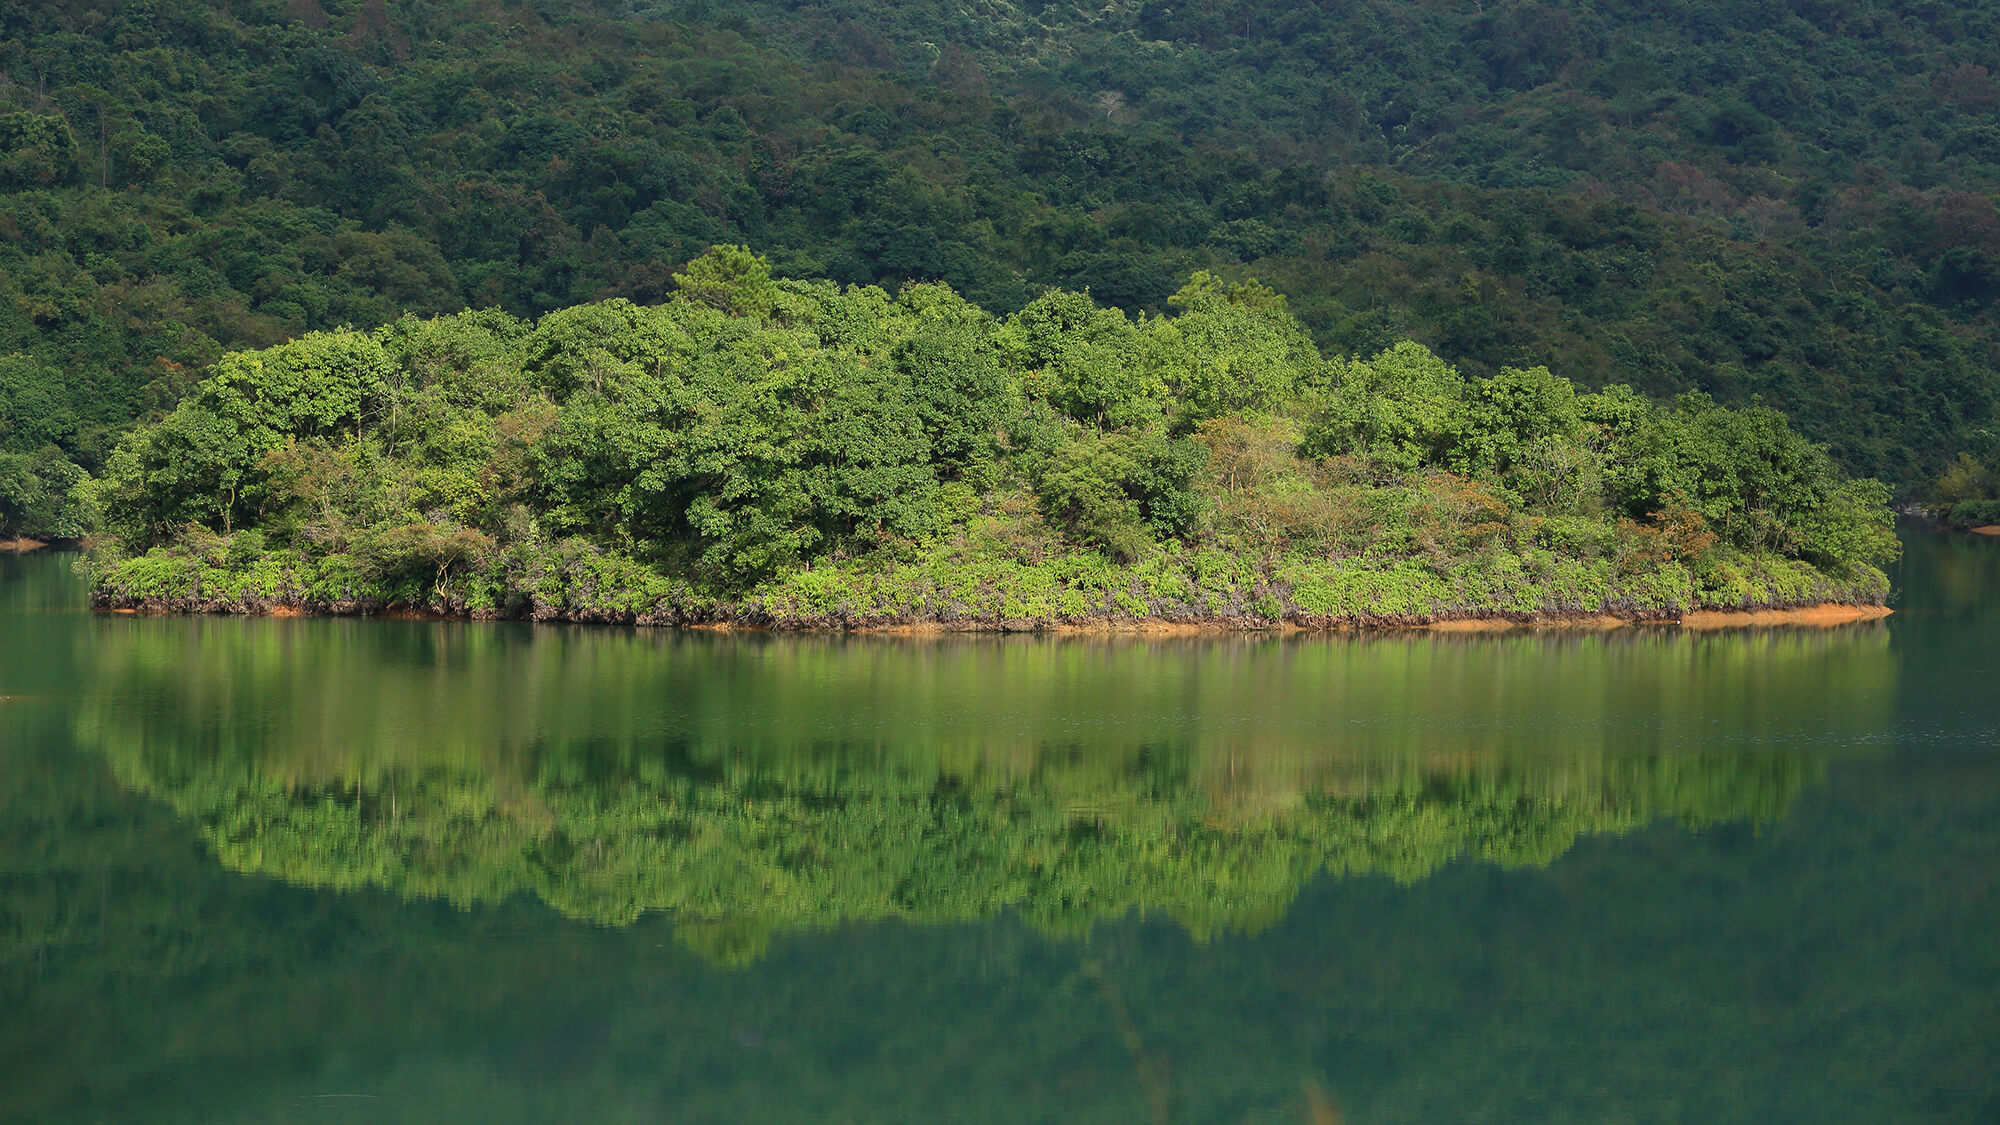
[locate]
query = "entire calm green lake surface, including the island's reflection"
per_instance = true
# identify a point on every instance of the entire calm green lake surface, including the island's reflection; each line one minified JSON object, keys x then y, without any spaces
{"x":435,"y":872}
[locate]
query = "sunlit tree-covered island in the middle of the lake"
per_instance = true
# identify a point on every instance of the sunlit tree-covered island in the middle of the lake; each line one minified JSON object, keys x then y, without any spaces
{"x":797,"y":453}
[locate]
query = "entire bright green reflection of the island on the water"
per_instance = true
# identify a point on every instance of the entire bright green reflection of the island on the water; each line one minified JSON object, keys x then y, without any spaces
{"x":757,"y":786}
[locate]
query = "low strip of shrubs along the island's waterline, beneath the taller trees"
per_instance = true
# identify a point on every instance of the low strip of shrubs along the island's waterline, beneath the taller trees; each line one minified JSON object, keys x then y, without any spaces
{"x":1073,"y":594}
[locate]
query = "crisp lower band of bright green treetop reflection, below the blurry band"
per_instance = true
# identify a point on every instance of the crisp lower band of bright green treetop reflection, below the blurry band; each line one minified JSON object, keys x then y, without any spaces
{"x":753,"y":852}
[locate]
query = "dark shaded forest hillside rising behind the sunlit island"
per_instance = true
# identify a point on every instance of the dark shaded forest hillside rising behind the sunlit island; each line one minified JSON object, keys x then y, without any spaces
{"x":1789,"y":201}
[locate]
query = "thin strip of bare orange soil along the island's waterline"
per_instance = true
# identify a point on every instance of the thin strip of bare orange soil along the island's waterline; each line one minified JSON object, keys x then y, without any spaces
{"x":1703,"y":620}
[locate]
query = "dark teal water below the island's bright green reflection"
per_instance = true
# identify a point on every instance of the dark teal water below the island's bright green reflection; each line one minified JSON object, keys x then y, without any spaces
{"x":1813,"y":972}
